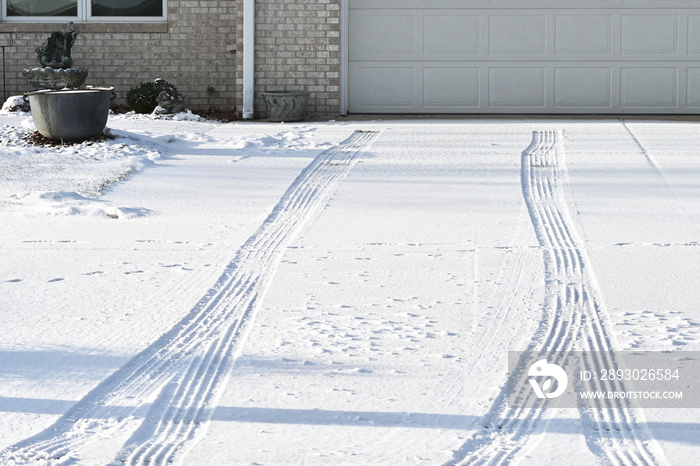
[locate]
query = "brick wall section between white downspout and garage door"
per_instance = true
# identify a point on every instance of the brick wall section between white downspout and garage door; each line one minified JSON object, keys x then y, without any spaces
{"x":297,"y":48}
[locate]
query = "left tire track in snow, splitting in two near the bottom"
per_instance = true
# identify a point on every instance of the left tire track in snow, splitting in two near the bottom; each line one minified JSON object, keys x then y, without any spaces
{"x":183,"y":374}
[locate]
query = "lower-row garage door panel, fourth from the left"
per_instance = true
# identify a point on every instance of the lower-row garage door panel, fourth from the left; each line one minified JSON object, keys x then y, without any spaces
{"x":583,"y":87}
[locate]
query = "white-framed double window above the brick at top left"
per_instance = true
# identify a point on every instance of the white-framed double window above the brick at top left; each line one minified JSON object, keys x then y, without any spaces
{"x":83,"y":10}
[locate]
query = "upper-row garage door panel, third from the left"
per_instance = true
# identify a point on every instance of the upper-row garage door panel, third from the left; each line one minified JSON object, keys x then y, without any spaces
{"x":517,"y":34}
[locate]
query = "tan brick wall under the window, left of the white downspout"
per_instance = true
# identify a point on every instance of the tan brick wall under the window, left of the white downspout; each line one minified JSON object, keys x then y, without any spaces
{"x":194,"y":51}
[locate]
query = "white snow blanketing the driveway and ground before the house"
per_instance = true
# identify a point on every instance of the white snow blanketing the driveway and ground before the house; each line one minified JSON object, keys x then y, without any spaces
{"x":339,"y":292}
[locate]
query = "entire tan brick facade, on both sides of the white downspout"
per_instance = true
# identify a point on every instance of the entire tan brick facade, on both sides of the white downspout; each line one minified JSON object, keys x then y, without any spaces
{"x":200,"y":50}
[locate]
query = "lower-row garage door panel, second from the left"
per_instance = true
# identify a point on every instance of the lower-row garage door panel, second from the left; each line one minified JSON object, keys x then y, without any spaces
{"x":451,"y":87}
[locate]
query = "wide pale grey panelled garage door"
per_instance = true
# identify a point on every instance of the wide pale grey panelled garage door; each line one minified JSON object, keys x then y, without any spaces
{"x":524,"y":56}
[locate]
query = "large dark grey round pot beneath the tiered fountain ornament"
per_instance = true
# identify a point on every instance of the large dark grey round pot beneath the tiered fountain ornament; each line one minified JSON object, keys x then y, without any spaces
{"x":70,"y":114}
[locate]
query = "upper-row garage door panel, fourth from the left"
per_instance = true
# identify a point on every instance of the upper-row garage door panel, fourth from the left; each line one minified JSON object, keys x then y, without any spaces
{"x":583,"y":34}
